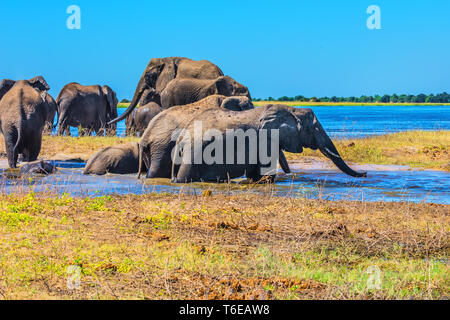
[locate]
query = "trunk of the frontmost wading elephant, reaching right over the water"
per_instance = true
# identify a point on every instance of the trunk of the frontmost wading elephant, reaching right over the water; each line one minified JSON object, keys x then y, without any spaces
{"x":327,"y":147}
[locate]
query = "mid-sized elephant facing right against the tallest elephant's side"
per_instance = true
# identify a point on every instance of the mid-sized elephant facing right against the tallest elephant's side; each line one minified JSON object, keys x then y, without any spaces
{"x":181,"y":91}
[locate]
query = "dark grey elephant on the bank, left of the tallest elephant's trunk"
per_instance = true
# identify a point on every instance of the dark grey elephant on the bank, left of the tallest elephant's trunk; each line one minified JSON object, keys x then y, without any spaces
{"x":88,"y":107}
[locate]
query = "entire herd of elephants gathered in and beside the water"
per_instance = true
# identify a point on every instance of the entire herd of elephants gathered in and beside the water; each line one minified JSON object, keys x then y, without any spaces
{"x":178,"y":98}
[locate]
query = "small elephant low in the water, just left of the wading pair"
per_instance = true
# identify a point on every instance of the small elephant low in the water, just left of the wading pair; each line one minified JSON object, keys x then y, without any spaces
{"x":119,"y":159}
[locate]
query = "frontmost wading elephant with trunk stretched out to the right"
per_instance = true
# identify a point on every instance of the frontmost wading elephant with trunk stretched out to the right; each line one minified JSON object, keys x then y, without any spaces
{"x":250,"y":143}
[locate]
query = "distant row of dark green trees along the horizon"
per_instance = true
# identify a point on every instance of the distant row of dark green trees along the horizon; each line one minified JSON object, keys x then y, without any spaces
{"x":420,"y":98}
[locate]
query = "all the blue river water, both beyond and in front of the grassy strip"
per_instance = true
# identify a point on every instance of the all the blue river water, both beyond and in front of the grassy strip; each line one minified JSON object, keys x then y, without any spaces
{"x":383,"y":183}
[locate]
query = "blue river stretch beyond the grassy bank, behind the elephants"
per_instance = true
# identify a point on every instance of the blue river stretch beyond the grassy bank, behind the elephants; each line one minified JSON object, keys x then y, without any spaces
{"x":361,"y":121}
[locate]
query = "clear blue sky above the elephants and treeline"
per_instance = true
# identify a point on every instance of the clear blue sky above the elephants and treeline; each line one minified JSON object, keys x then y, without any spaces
{"x":276,"y":48}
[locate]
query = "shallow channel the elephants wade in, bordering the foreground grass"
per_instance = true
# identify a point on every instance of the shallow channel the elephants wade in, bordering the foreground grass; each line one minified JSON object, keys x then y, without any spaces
{"x":383,"y":183}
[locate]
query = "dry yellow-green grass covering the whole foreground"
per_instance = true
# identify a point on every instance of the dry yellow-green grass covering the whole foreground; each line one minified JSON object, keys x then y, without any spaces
{"x":160,"y":246}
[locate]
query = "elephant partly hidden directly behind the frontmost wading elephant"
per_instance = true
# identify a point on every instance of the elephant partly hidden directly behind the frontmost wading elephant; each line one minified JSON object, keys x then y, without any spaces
{"x":158,"y":140}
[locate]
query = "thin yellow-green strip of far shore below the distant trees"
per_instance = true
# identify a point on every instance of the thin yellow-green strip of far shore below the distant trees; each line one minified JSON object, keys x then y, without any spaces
{"x":348,"y":104}
